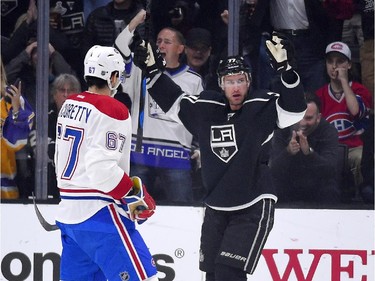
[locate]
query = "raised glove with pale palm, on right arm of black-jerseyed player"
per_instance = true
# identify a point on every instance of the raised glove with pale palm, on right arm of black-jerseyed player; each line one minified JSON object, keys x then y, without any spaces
{"x":281,"y":53}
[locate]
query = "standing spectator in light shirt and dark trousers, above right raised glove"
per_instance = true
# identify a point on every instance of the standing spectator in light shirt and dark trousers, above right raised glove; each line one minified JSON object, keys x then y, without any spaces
{"x":304,"y":23}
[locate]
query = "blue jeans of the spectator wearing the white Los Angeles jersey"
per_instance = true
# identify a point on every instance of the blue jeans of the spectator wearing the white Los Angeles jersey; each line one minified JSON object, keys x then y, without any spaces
{"x":171,"y":185}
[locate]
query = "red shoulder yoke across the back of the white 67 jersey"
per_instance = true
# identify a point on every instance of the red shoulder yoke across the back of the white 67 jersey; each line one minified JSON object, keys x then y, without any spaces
{"x":105,"y":104}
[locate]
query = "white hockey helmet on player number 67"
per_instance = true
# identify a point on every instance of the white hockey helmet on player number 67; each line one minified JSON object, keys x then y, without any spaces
{"x":101,"y":62}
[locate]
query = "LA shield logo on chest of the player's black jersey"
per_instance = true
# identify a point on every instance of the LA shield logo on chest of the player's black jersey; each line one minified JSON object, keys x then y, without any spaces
{"x":223,"y":142}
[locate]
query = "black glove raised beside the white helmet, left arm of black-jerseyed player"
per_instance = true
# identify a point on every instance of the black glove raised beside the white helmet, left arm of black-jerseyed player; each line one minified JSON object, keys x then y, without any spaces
{"x":149,"y":59}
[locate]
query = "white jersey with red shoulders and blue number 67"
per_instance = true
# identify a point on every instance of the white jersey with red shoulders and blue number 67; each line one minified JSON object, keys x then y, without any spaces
{"x":93,"y":139}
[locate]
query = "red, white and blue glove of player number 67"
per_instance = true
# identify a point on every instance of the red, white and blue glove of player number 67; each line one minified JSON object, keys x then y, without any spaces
{"x":140,"y":204}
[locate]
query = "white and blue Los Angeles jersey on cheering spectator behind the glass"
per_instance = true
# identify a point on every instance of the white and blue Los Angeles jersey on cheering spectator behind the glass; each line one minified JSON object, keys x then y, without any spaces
{"x":166,"y":143}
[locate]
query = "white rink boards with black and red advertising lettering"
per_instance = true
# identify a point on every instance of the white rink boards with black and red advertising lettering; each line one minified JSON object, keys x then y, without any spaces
{"x":304,"y":245}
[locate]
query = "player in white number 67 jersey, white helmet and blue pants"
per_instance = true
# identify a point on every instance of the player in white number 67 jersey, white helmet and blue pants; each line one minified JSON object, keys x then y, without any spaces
{"x":100,"y":203}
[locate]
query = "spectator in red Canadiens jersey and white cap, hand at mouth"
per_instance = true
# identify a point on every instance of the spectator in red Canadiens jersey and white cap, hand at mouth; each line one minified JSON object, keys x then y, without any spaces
{"x":345,"y":104}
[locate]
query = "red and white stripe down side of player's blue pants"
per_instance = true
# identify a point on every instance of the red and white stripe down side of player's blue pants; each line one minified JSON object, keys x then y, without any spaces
{"x":128,"y":244}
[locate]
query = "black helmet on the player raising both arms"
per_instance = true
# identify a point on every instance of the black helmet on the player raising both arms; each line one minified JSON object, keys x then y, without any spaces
{"x":231,"y":66}
